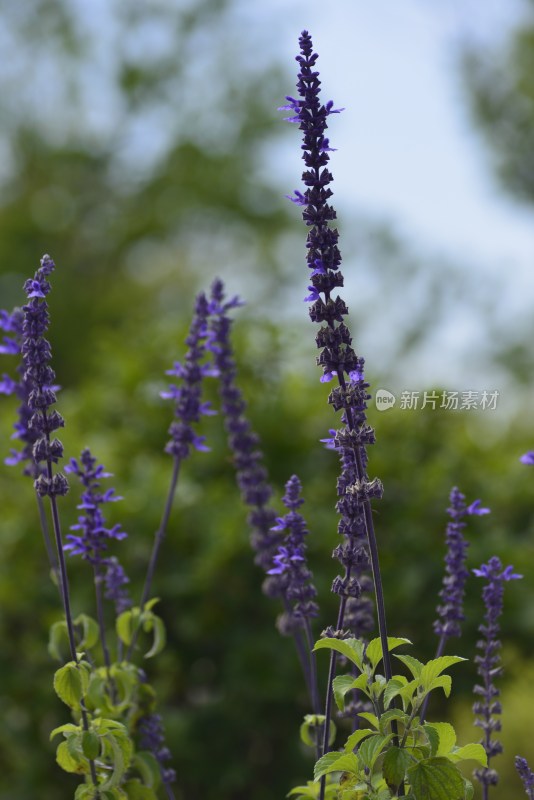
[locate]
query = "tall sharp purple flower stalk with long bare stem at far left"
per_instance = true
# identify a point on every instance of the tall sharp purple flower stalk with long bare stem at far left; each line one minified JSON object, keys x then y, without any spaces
{"x":39,"y":378}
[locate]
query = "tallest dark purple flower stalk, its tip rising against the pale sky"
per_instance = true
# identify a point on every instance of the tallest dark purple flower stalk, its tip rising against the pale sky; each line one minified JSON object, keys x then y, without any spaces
{"x":337,"y":358}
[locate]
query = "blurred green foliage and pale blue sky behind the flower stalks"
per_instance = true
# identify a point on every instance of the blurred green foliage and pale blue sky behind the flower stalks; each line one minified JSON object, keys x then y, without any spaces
{"x":140,"y":145}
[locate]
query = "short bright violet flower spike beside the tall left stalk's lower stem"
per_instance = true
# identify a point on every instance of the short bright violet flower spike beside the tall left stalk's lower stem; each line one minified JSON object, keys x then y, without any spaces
{"x":94,"y":536}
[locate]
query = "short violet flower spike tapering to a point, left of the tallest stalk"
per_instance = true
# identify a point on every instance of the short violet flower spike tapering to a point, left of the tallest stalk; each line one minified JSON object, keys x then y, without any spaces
{"x":290,"y":563}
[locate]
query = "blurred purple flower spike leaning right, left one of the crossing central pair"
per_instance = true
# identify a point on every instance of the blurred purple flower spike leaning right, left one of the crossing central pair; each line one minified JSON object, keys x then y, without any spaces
{"x":187,"y":396}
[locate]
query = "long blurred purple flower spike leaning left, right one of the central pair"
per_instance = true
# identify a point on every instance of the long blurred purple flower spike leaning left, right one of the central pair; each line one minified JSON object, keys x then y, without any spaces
{"x":244,"y":442}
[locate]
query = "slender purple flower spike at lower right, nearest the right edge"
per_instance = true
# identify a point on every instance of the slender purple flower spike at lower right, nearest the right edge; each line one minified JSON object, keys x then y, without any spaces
{"x":488,"y":665}
